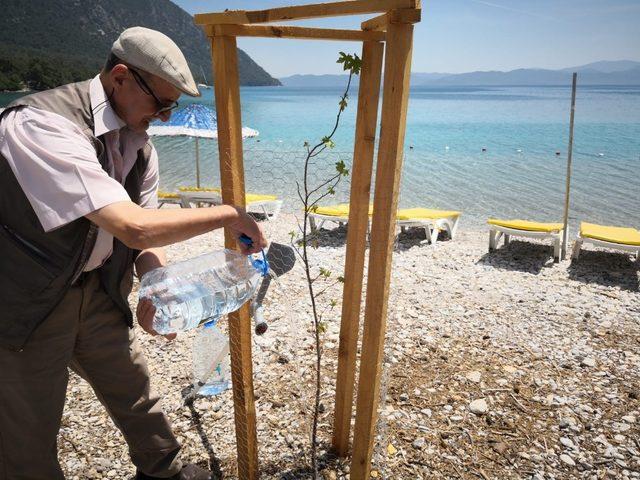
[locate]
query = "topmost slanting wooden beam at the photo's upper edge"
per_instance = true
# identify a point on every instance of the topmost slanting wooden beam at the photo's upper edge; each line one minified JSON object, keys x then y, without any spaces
{"x":299,"y":12}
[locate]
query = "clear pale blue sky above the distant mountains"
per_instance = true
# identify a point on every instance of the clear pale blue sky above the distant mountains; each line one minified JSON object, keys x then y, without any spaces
{"x":458,"y":36}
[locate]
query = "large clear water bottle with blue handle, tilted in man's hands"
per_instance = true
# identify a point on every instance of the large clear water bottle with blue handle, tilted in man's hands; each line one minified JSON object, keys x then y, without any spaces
{"x":203,"y":288}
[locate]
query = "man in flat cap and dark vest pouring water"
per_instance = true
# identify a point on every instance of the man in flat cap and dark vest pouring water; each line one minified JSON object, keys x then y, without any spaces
{"x":78,"y":185}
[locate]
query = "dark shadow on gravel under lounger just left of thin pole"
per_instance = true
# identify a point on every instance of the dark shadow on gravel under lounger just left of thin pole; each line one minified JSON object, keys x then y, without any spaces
{"x":520,"y":256}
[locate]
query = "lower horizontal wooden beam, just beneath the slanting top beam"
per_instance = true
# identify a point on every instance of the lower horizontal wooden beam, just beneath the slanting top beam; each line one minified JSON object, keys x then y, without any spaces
{"x":292,"y":32}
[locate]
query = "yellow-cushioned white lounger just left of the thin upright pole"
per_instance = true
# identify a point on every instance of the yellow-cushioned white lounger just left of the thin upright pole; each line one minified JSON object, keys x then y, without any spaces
{"x":526,"y":229}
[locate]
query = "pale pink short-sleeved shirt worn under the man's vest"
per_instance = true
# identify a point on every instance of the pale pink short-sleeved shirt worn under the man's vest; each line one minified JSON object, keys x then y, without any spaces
{"x":57,"y":167}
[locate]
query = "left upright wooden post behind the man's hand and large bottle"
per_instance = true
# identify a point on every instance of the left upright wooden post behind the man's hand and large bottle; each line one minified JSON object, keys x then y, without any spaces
{"x":227,"y":95}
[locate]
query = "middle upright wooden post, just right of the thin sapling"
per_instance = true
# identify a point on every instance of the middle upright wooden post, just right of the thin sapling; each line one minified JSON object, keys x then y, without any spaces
{"x":366,"y":122}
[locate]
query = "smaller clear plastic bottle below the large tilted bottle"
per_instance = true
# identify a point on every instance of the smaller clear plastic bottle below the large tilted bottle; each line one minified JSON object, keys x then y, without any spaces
{"x":211,"y":366}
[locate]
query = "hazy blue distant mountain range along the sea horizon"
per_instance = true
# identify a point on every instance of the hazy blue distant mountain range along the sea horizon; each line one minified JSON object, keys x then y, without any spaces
{"x":619,"y":72}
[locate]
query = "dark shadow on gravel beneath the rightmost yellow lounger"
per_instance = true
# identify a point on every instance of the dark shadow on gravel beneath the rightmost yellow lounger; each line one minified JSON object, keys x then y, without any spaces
{"x":606,"y":268}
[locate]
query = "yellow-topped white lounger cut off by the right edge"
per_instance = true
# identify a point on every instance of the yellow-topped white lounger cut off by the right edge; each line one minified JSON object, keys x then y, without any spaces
{"x":617,"y":238}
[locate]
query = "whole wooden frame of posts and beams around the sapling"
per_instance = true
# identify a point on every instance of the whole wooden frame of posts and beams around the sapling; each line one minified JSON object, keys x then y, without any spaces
{"x":390,"y":34}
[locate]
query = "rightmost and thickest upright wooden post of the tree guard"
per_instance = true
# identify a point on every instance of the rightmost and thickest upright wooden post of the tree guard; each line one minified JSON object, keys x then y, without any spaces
{"x":390,"y":151}
